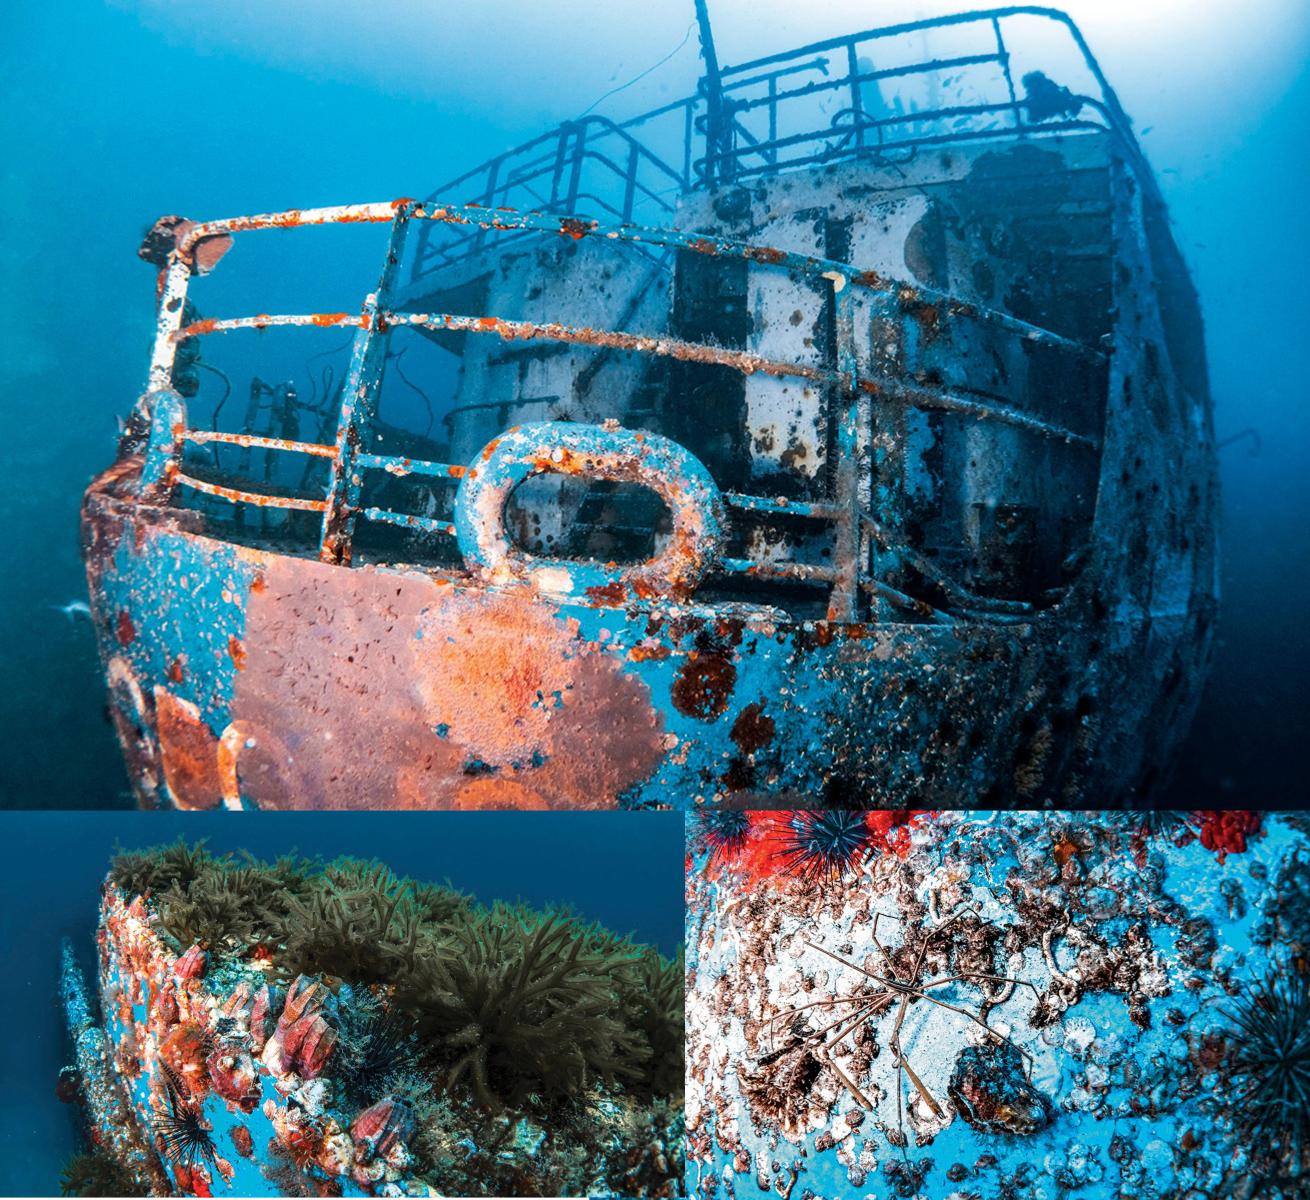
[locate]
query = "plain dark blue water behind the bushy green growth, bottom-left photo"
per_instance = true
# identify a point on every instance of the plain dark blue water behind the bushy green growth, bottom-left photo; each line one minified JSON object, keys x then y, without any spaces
{"x":624,"y":871}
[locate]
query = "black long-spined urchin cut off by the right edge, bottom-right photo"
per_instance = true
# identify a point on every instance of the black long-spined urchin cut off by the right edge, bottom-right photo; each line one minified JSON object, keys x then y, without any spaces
{"x":1269,"y":1066}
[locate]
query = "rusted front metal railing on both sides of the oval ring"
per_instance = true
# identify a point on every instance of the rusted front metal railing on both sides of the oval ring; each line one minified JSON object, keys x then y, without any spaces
{"x":856,"y":489}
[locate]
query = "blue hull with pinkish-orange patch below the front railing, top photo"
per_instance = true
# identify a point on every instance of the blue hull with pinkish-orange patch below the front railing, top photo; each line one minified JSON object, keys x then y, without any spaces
{"x":246,"y":678}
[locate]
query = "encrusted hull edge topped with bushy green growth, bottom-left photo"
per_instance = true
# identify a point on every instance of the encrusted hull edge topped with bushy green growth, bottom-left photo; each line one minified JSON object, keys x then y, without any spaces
{"x":328,"y":1029}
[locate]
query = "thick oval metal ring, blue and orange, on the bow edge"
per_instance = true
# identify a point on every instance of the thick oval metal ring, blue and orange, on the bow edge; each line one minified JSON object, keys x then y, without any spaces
{"x":591,"y":453}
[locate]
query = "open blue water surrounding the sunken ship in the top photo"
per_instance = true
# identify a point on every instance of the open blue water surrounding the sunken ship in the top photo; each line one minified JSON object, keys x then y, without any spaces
{"x":115,"y":113}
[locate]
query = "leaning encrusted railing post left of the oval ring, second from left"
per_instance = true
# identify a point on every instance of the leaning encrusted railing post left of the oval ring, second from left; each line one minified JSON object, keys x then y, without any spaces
{"x":358,"y":398}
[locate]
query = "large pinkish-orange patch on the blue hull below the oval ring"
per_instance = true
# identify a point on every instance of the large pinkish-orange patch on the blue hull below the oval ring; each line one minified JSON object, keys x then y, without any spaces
{"x":468,"y":691}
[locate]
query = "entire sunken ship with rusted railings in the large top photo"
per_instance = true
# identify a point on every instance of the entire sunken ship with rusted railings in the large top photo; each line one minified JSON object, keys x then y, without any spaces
{"x":839,"y":436}
